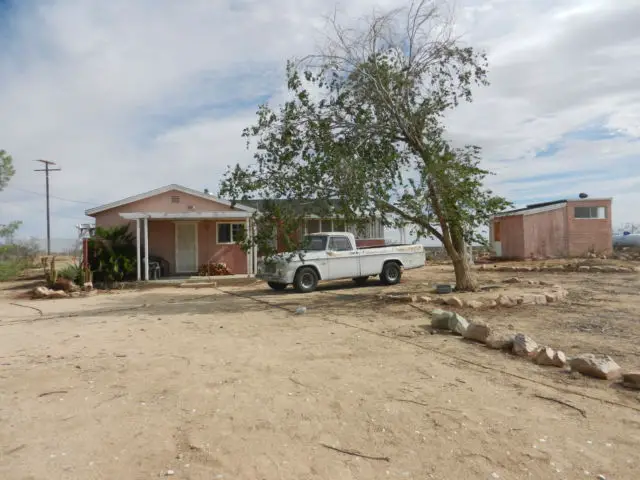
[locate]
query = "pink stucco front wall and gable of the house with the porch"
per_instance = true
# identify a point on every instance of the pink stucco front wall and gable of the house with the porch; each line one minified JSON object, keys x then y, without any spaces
{"x":162,"y":232}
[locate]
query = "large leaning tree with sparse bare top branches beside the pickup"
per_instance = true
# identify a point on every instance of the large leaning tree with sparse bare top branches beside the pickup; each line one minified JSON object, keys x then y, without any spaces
{"x":363,"y":124}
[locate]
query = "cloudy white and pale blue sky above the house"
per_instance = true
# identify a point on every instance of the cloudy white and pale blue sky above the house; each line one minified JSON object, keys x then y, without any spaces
{"x":127,"y":96}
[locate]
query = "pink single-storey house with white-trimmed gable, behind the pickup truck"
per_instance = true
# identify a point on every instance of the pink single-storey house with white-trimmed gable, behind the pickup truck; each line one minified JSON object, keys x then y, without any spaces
{"x":188,"y":228}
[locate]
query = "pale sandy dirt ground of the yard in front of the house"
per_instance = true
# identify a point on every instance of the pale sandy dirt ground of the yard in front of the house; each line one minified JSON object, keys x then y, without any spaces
{"x":230,"y":384}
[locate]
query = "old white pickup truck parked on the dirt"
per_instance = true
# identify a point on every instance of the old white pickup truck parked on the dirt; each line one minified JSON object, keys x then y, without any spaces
{"x":333,"y":256}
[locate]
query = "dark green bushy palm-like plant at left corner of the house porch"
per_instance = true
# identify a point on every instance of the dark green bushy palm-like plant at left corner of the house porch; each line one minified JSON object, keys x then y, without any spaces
{"x":112,"y":255}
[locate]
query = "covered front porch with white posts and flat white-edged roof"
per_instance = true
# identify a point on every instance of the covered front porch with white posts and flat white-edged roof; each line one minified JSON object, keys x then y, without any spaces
{"x":191,"y":239}
